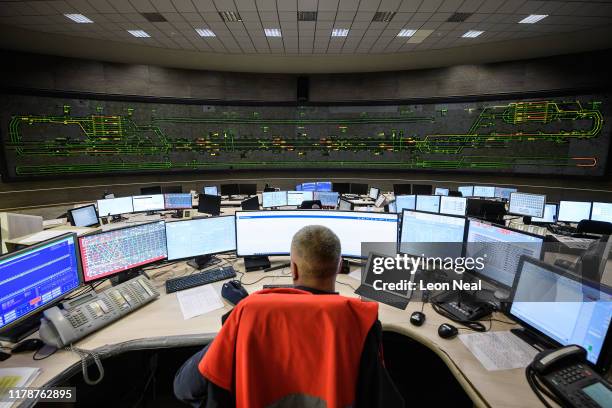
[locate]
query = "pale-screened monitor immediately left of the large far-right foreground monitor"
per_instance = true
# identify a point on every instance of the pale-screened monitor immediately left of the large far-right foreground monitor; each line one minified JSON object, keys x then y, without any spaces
{"x":503,"y":247}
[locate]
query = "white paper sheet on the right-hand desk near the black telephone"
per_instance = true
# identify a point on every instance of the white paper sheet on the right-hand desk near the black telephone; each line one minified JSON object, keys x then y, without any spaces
{"x":499,"y":350}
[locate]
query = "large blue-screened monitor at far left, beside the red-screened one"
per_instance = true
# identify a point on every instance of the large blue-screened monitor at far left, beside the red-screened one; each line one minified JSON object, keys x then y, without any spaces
{"x":36,"y":277}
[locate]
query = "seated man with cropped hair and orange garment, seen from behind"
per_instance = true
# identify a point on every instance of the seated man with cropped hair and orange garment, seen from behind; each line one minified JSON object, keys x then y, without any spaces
{"x":315,"y":262}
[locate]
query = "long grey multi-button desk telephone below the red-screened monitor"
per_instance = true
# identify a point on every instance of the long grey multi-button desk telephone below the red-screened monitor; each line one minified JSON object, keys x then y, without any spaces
{"x":90,"y":312}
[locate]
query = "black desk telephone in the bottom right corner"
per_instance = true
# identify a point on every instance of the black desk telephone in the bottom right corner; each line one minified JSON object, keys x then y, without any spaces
{"x":569,"y":379}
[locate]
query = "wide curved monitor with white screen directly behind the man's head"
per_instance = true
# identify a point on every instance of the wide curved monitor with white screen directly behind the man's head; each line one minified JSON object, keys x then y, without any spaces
{"x":271,"y":232}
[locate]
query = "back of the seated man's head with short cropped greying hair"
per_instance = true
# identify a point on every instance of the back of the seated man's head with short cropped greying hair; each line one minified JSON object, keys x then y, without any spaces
{"x":315,"y":250}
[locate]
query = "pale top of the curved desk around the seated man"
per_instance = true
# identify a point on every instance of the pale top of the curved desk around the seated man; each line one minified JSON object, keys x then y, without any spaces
{"x":160,"y":324}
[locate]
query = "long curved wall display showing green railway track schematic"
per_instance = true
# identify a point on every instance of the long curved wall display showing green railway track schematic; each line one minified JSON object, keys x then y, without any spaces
{"x":49,"y":136}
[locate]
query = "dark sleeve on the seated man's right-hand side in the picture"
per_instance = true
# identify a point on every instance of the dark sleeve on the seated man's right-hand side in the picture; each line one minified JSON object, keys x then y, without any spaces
{"x":375,"y":388}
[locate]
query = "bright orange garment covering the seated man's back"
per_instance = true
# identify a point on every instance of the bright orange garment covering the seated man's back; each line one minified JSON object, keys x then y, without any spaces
{"x":291,"y":345}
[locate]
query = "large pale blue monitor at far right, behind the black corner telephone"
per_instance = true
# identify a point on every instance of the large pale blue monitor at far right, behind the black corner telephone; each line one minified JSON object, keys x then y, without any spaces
{"x":556,"y":305}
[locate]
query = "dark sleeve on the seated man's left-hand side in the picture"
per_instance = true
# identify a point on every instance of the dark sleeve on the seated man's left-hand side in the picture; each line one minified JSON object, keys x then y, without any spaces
{"x":194,"y":389}
